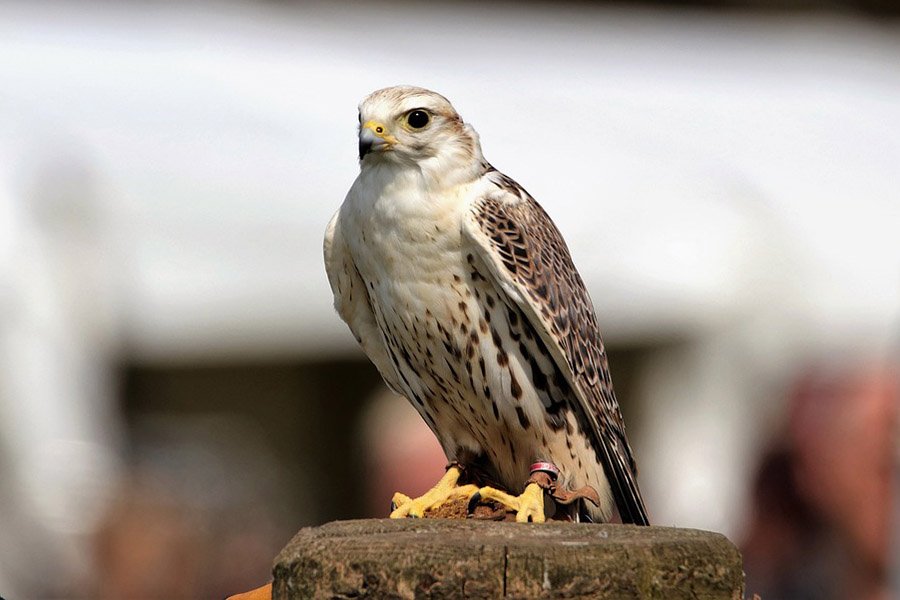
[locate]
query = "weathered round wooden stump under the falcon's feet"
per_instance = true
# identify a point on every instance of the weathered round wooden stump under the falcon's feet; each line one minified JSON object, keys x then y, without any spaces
{"x":443,"y":558}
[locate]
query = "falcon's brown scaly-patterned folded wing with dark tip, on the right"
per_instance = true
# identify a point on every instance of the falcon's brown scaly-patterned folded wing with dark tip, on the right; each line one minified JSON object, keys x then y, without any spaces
{"x":531,"y":264}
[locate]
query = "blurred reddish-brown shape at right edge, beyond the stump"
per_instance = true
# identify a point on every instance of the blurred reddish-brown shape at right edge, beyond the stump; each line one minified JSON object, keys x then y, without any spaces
{"x":823,"y":500}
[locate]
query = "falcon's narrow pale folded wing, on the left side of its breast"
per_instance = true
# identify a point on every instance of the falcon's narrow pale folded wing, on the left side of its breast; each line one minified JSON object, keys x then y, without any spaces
{"x":351,"y":300}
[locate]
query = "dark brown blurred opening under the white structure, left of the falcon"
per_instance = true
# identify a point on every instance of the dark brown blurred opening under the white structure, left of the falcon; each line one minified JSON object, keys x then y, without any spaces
{"x":227,"y":462}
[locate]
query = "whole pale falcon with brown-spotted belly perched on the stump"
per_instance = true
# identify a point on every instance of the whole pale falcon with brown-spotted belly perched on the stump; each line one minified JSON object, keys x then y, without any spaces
{"x":462,"y":292}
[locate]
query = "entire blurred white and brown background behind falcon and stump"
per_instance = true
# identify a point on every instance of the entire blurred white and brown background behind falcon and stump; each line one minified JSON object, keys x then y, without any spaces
{"x":177,"y":396}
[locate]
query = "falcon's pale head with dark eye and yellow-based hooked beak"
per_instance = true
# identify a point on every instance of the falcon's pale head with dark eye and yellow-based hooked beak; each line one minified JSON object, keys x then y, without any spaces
{"x":414,"y":126}
